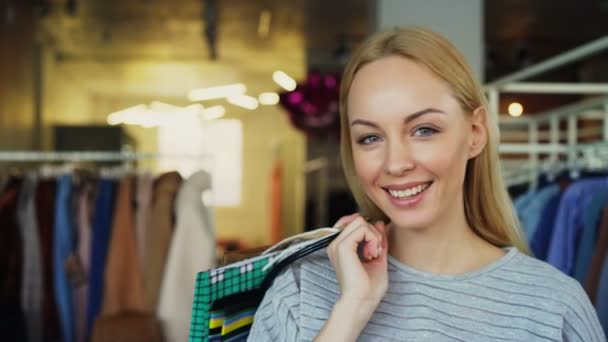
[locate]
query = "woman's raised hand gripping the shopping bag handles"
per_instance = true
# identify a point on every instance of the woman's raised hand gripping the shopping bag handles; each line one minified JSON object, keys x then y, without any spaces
{"x":359,"y":258}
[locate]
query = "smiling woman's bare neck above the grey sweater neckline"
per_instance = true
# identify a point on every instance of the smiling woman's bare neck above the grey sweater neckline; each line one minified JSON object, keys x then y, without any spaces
{"x":447,"y":247}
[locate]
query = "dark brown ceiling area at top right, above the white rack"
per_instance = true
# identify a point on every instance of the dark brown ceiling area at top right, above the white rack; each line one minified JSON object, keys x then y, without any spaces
{"x":523,"y":32}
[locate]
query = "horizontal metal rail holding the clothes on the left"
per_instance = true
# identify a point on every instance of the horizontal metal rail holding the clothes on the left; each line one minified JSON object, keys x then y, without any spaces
{"x":90,"y":156}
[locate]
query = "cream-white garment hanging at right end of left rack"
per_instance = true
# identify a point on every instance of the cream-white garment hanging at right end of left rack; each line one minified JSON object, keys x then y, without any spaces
{"x":192,"y":250}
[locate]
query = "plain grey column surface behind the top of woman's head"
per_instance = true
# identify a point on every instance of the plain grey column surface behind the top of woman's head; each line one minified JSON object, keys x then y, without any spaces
{"x":461,"y":21}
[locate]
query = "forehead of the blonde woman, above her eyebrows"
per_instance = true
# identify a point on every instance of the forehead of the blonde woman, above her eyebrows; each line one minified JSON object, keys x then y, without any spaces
{"x":396,"y":84}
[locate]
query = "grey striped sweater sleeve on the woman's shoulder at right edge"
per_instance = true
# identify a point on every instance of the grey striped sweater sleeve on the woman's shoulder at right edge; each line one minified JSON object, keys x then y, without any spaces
{"x":580,"y":322}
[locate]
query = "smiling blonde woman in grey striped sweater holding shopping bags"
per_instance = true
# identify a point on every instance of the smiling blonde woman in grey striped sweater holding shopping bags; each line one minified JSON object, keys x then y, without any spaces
{"x":436,"y":253}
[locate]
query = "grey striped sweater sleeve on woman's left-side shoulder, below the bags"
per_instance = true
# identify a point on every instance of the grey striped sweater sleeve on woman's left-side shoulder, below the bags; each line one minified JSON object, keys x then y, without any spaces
{"x":278,"y":316}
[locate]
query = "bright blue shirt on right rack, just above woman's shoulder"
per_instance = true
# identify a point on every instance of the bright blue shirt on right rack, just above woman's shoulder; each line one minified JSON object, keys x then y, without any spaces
{"x":569,"y":222}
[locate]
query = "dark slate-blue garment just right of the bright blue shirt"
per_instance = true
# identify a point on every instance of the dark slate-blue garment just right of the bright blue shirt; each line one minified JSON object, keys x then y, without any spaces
{"x":586,"y":244}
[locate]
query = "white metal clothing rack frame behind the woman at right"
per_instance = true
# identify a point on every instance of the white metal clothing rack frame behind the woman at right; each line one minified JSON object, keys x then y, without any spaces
{"x":595,"y":108}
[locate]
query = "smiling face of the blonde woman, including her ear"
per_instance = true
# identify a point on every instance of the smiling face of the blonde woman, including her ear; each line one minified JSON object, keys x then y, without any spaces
{"x":411,"y":142}
